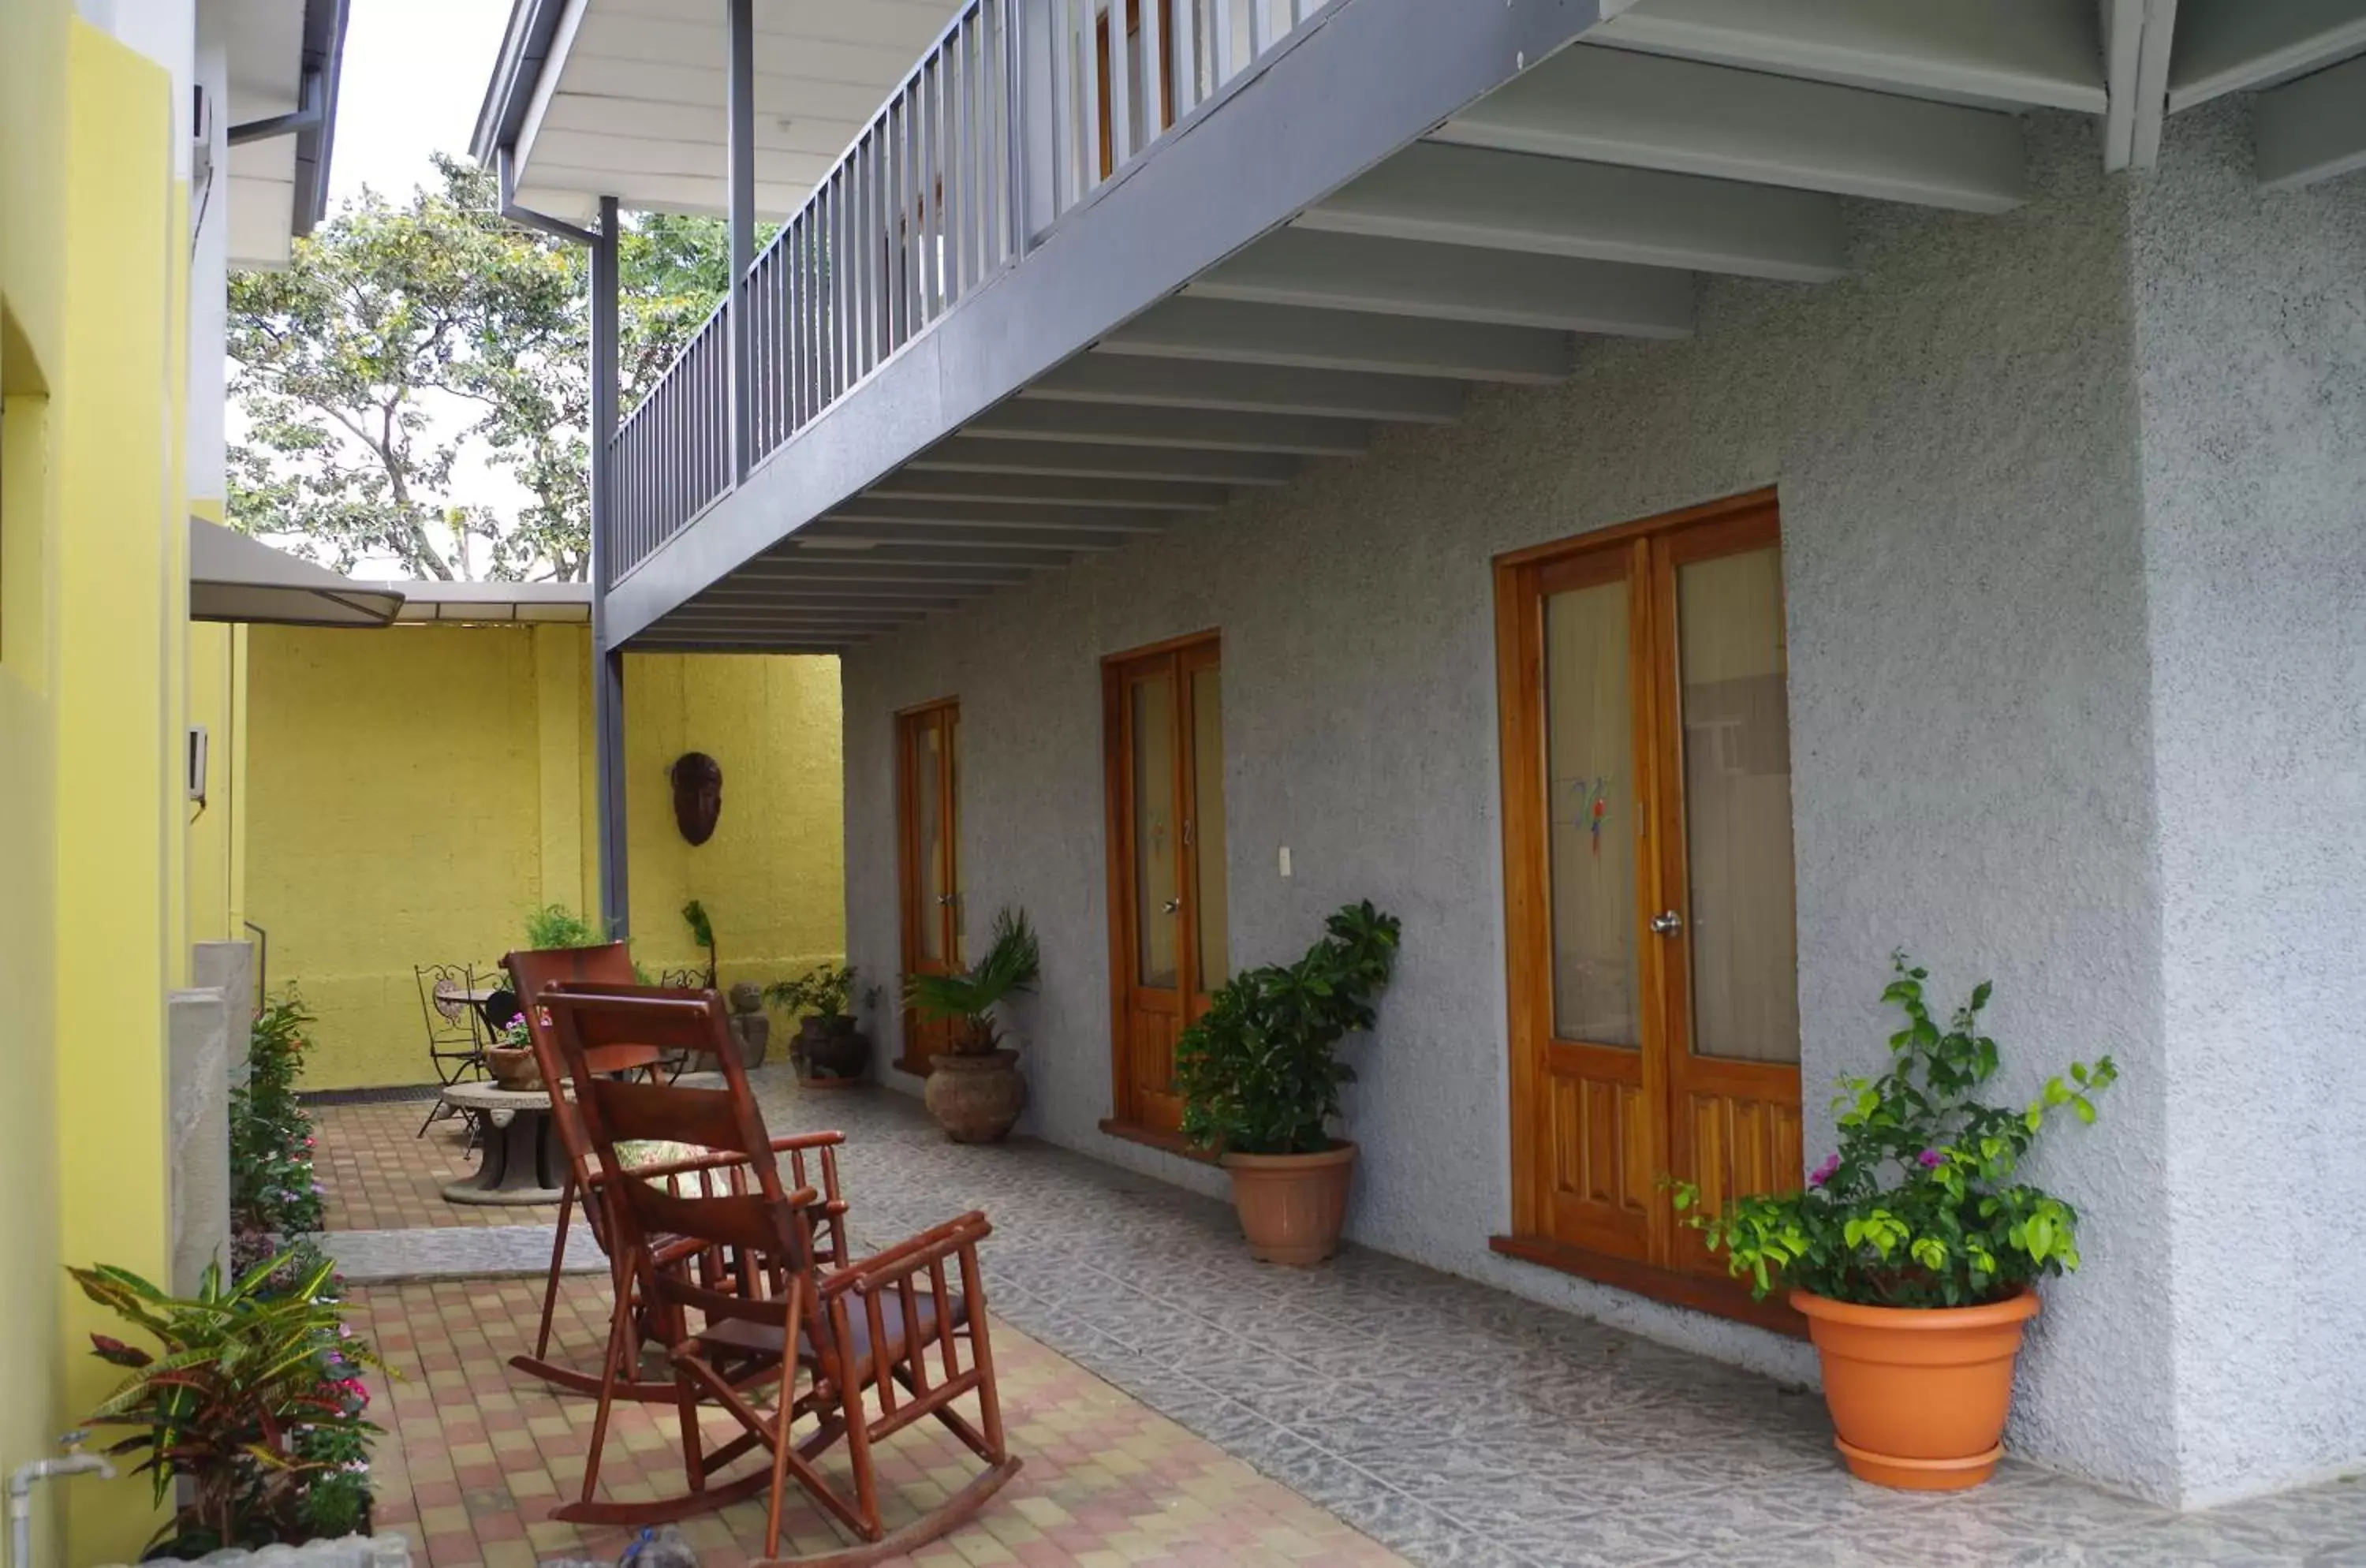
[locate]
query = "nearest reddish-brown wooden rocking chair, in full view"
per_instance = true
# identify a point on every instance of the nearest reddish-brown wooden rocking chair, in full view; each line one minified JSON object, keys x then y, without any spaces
{"x":877,"y":1345}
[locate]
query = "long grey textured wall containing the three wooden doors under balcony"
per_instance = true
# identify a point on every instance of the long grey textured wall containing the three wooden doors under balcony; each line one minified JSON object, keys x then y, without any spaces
{"x":1955,"y":439}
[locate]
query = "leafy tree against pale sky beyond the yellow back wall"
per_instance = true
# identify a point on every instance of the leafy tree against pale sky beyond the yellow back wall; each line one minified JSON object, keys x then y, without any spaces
{"x":411,"y":344}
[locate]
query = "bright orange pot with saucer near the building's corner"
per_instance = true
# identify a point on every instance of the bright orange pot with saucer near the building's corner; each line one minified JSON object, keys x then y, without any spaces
{"x":1920,"y":1394}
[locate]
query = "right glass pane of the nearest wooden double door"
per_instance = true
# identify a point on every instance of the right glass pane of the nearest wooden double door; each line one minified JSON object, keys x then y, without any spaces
{"x":1738,"y":808}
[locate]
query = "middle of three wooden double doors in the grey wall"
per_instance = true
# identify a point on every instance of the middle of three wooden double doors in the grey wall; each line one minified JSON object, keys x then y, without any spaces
{"x":1165,"y":796}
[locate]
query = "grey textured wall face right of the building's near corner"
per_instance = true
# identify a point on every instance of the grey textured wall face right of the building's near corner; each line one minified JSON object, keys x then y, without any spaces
{"x":2251,"y":323}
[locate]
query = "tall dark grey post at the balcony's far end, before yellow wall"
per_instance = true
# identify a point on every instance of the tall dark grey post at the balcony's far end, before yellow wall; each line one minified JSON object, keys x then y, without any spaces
{"x":607,"y":663}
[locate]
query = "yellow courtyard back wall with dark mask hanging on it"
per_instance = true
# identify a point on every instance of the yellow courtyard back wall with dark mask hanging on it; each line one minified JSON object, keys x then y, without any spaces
{"x":413,"y":793}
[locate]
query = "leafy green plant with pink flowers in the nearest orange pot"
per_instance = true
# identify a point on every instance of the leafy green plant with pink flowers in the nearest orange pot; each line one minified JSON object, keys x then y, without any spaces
{"x":1918,"y":1207}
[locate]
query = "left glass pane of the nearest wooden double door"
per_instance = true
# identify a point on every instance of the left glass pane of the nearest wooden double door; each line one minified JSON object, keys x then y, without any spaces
{"x":1591,"y":777}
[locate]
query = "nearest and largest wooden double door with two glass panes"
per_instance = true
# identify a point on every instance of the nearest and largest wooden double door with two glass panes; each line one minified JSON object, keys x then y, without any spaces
{"x":1650,"y":883}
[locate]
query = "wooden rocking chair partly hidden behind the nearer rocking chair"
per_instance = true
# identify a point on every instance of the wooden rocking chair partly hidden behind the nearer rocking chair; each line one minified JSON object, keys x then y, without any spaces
{"x":609,"y":971}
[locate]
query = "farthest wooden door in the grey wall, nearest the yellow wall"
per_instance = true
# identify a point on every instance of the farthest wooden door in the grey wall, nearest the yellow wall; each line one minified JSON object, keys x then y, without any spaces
{"x":929,"y":864}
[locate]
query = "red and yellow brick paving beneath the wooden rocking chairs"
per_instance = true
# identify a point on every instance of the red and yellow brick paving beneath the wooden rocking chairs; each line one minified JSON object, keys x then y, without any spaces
{"x":477,"y":1456}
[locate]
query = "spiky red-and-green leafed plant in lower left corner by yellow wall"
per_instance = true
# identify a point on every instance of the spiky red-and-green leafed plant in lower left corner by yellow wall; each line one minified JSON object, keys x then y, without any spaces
{"x":252,"y":1397}
